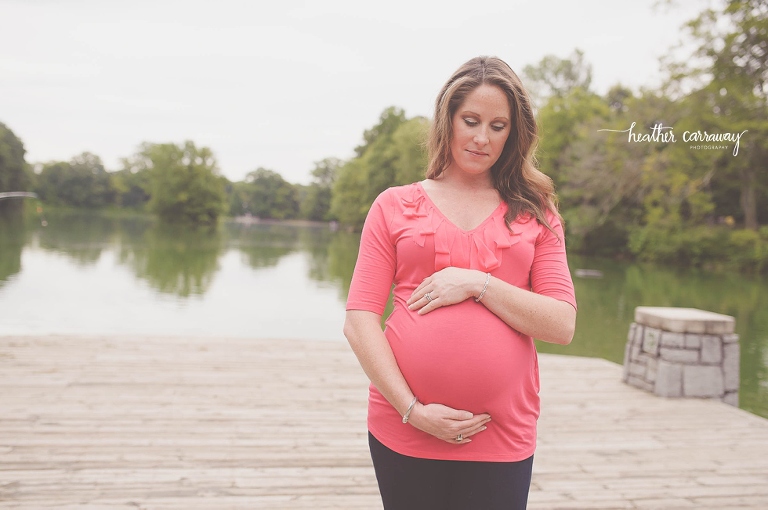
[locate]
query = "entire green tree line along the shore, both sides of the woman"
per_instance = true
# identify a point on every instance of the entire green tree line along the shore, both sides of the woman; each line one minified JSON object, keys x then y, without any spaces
{"x":630,"y":183}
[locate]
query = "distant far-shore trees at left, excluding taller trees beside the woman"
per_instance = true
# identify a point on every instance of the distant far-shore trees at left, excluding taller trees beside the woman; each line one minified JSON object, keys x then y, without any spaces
{"x":180,"y":183}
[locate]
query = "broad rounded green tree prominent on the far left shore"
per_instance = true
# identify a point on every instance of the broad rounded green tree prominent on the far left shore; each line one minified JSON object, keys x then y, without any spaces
{"x":185,"y":185}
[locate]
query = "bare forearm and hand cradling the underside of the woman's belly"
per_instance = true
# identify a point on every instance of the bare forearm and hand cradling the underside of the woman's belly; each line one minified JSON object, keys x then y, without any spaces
{"x":362,"y":329}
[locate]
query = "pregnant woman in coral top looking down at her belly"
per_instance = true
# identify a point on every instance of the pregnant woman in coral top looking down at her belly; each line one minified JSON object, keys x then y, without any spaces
{"x":476,"y":253}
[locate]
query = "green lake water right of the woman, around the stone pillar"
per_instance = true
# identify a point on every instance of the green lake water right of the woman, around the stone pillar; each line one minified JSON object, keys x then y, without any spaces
{"x":606,"y":308}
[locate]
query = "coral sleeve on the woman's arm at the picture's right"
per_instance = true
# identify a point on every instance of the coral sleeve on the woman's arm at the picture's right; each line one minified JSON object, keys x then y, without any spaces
{"x":550,"y":275}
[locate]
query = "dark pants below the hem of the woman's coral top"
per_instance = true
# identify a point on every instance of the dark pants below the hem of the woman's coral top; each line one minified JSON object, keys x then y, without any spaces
{"x":409,"y":483}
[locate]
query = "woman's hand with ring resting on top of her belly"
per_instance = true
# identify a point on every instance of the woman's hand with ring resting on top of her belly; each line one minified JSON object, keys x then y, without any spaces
{"x":446,"y":287}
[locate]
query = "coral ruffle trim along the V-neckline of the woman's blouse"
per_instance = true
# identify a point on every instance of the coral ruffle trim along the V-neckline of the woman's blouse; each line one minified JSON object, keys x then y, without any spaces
{"x":486,"y":242}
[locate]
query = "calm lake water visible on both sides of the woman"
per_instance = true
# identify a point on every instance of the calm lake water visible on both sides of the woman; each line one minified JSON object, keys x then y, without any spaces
{"x":96,"y":275}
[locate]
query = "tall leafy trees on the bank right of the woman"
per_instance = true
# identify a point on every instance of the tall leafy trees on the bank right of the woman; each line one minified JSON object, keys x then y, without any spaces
{"x":666,"y":201}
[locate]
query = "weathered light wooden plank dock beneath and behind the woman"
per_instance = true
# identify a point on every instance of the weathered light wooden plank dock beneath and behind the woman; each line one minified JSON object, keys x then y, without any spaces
{"x":127,"y":423}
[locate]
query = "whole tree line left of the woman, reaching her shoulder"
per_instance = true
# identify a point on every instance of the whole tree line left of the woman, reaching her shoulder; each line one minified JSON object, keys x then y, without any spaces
{"x":182,"y":182}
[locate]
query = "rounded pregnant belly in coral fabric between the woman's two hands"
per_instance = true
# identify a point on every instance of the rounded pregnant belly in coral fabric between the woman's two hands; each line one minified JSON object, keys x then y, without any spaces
{"x":462,"y":356}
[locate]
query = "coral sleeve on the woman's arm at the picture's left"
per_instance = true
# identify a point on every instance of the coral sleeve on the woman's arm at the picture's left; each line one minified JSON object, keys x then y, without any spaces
{"x":376,"y":260}
